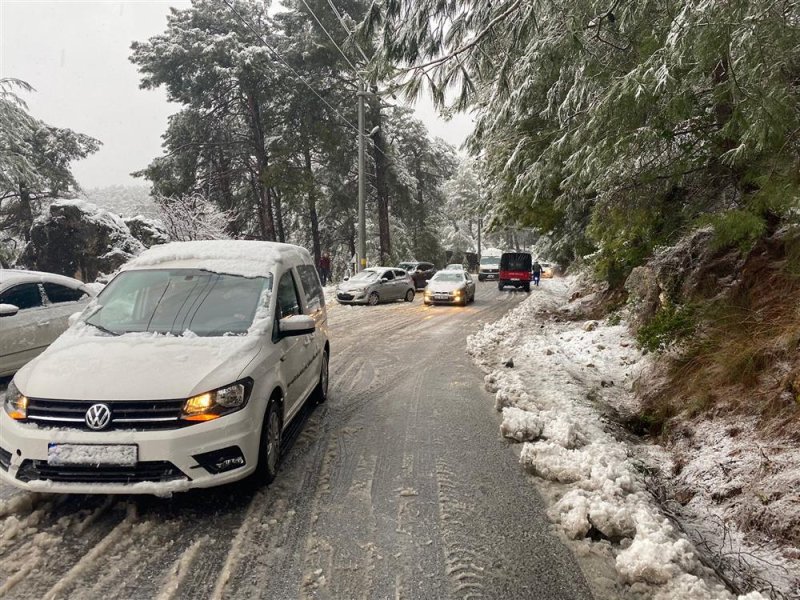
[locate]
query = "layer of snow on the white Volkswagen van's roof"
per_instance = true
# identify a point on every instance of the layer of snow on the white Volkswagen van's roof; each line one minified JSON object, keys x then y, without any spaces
{"x":248,"y":258}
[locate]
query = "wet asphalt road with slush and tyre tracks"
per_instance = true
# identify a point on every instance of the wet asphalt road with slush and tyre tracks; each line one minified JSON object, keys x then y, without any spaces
{"x":398,"y":487}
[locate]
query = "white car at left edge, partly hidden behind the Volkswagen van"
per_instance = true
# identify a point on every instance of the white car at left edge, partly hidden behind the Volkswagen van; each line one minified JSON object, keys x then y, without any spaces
{"x":34,"y":311}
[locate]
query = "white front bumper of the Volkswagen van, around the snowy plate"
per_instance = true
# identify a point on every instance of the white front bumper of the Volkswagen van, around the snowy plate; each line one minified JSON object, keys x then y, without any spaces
{"x":167,"y":459}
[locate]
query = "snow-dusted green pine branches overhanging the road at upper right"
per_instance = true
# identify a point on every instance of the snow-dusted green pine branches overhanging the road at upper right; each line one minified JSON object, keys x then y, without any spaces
{"x":613,"y":127}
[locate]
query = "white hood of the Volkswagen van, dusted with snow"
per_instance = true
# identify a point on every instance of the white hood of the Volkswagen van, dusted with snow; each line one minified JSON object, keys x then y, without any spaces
{"x":136,"y":366}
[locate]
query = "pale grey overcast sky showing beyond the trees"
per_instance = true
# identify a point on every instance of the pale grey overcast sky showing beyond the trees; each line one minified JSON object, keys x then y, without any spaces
{"x":75,"y":53}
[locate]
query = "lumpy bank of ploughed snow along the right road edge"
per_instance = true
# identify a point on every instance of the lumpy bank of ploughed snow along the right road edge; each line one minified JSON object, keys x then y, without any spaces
{"x":553,"y":378}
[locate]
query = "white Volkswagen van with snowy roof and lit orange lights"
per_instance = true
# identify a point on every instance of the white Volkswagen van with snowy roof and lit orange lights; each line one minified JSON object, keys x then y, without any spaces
{"x":183,"y":373}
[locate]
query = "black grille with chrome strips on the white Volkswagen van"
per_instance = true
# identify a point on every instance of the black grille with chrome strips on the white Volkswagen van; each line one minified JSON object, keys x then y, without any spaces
{"x":125,"y":414}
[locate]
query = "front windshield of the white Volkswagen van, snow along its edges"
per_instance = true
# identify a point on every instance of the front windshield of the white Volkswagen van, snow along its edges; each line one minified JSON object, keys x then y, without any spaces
{"x":176,"y":301}
